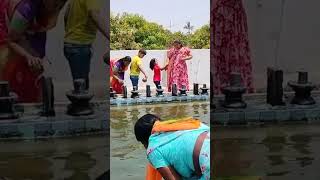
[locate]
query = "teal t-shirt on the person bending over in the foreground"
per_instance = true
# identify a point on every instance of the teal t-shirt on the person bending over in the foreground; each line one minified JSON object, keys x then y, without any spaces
{"x":178,"y":153}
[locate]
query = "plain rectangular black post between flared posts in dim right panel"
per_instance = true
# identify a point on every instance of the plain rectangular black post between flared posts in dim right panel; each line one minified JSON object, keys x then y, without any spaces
{"x":274,"y":87}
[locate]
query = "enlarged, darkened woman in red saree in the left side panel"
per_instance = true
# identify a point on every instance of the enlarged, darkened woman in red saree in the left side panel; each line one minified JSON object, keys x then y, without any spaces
{"x":29,"y":20}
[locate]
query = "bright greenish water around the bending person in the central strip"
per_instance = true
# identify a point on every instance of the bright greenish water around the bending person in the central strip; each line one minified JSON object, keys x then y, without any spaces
{"x":128,"y":157}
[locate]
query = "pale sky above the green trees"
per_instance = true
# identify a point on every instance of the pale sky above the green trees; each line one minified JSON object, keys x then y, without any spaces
{"x":178,"y":12}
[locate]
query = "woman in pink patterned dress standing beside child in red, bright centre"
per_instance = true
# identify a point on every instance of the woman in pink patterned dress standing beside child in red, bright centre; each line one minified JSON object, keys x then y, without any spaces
{"x":177,"y":68}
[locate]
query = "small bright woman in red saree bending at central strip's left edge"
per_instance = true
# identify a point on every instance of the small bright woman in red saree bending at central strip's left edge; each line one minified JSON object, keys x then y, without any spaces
{"x":117,"y":71}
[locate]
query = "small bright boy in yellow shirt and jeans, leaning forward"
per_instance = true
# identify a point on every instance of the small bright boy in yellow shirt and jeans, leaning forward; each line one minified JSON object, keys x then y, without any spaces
{"x":136,"y":68}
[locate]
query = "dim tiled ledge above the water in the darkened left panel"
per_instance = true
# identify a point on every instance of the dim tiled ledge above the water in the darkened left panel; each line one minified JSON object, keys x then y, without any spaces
{"x":32,"y":126}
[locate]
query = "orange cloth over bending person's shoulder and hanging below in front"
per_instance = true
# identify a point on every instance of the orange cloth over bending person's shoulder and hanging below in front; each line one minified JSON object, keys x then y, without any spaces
{"x":166,"y":126}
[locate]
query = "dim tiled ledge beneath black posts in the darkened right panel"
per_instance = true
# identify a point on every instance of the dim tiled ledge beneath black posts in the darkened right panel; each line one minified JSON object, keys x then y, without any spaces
{"x":258,"y":112}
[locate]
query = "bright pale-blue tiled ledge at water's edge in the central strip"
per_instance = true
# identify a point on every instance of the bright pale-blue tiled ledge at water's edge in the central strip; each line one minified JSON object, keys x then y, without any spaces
{"x":156,"y":100}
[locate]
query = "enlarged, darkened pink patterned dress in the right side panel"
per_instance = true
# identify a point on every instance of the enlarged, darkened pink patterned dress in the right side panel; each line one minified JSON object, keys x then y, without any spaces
{"x":230,"y":44}
